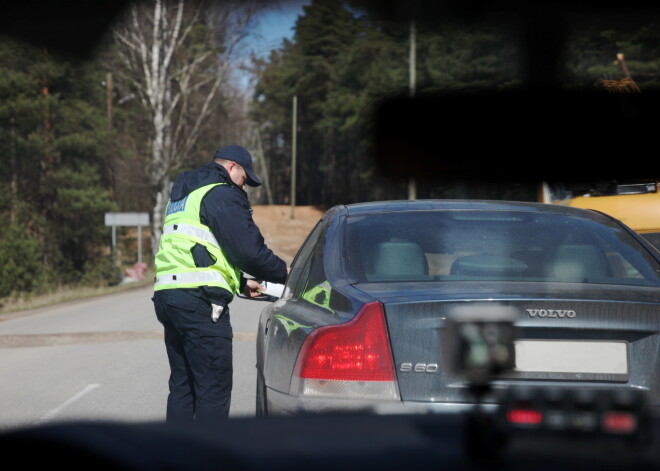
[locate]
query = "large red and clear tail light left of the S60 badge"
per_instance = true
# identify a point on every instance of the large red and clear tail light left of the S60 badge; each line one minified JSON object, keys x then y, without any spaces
{"x":351,"y":359}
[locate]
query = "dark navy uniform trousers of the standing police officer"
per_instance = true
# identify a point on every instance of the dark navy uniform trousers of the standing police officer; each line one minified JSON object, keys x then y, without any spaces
{"x":200,"y":355}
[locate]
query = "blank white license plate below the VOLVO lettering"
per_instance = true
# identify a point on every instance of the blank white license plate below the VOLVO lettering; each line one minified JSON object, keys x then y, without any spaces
{"x":571,"y":360}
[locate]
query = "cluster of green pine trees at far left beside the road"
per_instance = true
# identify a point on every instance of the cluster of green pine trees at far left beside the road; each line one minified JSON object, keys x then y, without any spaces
{"x":51,"y":126}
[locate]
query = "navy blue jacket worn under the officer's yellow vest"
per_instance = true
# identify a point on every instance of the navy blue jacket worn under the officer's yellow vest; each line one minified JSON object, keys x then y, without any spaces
{"x":227,"y":212}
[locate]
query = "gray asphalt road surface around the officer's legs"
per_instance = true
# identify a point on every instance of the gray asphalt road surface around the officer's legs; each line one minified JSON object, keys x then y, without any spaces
{"x":103,"y":359}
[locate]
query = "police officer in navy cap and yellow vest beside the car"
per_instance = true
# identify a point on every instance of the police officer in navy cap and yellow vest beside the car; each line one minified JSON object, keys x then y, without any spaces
{"x":209,"y":240}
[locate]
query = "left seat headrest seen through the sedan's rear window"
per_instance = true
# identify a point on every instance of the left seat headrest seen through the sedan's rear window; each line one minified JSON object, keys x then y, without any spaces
{"x":399,"y":261}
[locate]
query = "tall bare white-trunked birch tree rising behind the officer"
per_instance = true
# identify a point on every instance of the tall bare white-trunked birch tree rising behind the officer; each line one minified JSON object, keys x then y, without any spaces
{"x":176,"y":56}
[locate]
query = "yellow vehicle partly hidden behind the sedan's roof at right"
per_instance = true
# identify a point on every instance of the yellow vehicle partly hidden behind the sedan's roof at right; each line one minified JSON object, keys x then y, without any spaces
{"x":635,"y":204}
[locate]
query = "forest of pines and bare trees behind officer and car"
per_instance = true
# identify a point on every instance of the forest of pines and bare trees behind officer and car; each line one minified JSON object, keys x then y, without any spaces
{"x":80,"y":138}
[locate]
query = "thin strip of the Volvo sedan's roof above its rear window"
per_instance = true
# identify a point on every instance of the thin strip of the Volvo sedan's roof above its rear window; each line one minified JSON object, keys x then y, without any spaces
{"x":361,"y":209}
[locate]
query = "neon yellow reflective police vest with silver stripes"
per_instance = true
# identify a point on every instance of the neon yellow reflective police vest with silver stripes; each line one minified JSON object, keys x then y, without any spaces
{"x":182,"y":230}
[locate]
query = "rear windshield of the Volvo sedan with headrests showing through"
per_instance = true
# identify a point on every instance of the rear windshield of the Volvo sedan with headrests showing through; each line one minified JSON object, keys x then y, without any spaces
{"x":494,"y":245}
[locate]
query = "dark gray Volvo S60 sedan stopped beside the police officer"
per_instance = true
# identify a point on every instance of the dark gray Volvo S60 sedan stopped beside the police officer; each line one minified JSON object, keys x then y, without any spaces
{"x":363,"y":319}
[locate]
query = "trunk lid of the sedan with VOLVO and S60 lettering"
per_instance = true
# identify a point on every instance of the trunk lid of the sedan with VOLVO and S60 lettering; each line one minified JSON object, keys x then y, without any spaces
{"x":560,"y":342}
